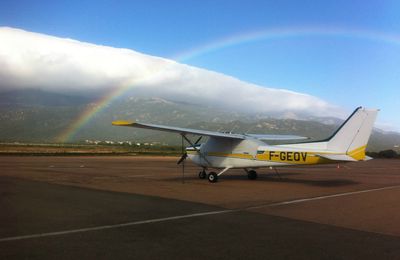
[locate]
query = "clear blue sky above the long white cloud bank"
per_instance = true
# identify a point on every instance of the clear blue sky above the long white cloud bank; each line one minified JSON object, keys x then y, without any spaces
{"x":346,"y":53}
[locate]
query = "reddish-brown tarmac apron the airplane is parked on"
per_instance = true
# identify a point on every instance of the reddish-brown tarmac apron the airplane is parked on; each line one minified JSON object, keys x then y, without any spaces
{"x":143,"y":208}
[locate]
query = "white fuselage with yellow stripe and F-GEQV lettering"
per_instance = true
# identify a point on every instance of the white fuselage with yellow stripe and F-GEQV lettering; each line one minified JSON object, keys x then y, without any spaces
{"x":253,"y":153}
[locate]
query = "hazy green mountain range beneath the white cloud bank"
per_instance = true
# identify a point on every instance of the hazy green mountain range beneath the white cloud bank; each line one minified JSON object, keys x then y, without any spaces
{"x":40,"y":116}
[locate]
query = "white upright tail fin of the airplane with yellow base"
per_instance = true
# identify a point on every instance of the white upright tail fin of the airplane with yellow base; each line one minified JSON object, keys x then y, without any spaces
{"x":353,"y":135}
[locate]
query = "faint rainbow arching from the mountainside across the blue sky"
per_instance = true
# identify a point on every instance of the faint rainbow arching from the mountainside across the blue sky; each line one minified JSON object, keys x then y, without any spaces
{"x":223,"y":43}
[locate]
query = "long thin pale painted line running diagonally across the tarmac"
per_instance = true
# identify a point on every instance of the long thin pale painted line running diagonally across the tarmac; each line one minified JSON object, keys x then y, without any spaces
{"x":149,"y":221}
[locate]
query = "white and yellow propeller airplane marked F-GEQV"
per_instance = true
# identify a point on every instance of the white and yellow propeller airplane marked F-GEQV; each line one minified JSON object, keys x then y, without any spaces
{"x":224,"y":150}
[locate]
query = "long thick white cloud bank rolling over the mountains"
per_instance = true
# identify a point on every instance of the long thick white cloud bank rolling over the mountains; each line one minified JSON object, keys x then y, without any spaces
{"x":33,"y":60}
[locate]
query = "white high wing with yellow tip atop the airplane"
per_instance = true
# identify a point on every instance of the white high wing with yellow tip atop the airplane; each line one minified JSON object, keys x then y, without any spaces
{"x":181,"y":130}
